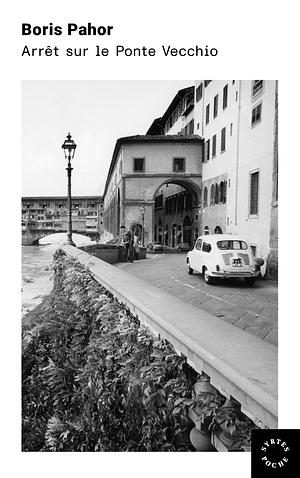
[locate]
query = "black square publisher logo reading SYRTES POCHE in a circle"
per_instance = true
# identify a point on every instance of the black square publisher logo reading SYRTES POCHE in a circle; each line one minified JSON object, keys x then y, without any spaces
{"x":274,"y":452}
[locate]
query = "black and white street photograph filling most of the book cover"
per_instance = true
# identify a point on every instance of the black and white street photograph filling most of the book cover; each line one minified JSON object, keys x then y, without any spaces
{"x":149,"y":264}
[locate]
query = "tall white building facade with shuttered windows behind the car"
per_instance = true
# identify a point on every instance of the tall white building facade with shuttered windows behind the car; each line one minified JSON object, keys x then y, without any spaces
{"x":238,"y":122}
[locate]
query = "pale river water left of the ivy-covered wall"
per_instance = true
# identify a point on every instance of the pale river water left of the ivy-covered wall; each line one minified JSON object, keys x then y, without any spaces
{"x":36,"y":268}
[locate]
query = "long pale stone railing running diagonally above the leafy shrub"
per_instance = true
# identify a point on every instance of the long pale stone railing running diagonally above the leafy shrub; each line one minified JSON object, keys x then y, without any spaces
{"x":240,"y":366}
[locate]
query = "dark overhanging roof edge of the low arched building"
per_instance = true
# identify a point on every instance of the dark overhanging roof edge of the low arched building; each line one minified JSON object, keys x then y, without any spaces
{"x":160,"y":138}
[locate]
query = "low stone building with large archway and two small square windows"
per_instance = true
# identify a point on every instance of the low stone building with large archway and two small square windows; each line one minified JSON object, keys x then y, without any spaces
{"x":141,"y":168}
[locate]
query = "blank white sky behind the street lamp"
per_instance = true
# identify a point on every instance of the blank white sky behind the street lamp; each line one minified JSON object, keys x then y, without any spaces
{"x":96,"y":113}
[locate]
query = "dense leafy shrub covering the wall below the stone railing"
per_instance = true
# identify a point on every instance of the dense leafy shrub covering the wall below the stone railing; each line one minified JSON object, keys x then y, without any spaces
{"x":94,"y":379}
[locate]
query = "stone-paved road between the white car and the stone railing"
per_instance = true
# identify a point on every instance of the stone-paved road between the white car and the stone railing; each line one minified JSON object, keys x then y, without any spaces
{"x":254,"y":309}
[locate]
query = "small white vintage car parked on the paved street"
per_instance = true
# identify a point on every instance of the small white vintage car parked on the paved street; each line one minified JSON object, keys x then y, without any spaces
{"x":223,"y":256}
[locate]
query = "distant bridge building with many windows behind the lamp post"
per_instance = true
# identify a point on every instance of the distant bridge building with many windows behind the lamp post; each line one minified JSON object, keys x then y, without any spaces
{"x":46,"y":215}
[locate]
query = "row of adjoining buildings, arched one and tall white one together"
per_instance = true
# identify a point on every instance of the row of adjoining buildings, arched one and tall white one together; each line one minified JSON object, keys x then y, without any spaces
{"x":236,"y":123}
